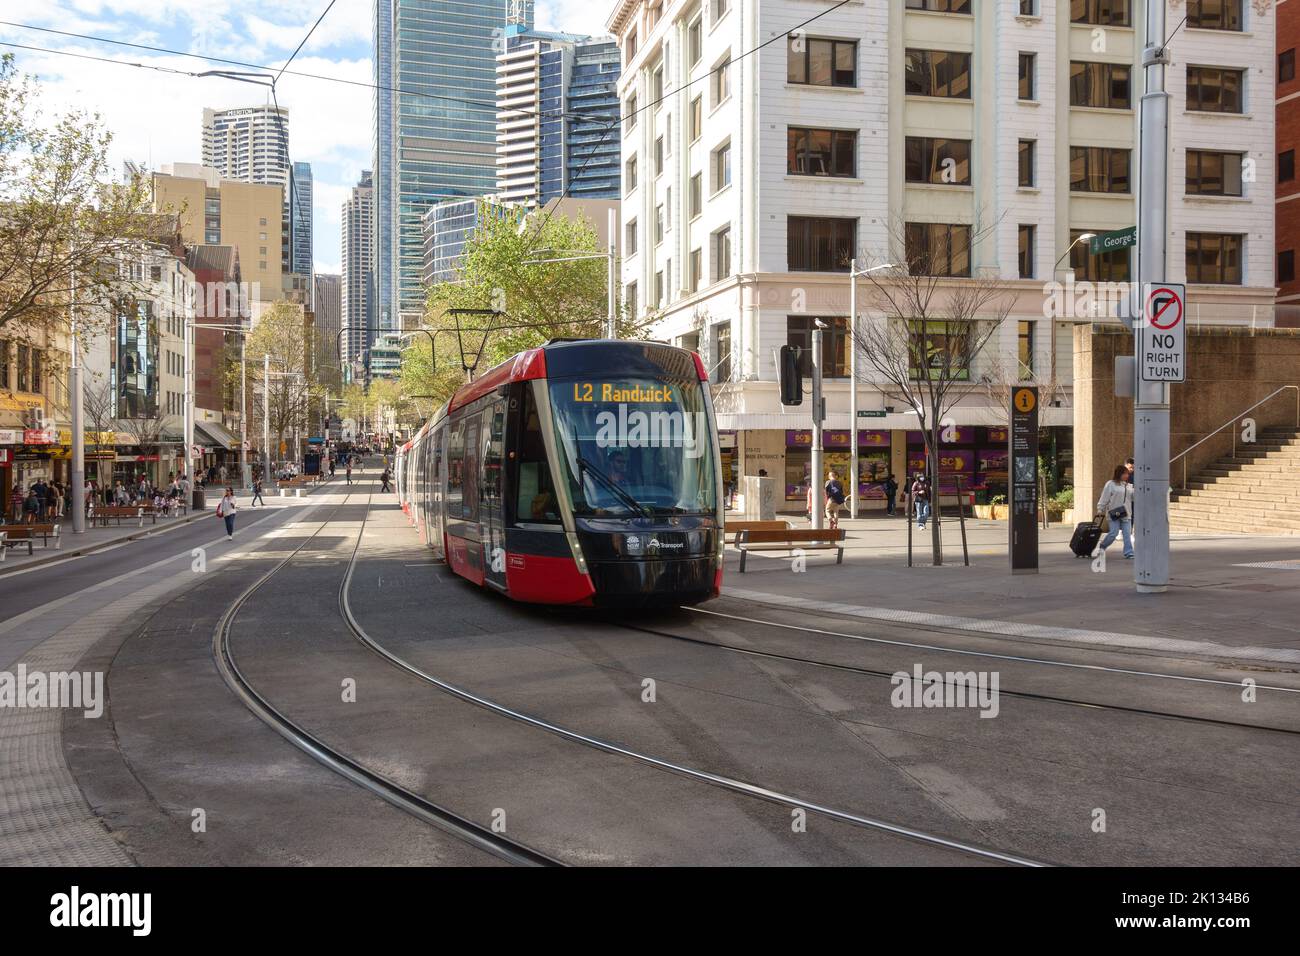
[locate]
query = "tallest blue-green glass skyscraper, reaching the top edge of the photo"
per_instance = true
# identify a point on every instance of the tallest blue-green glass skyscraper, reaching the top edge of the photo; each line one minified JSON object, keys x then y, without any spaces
{"x":435,"y":140}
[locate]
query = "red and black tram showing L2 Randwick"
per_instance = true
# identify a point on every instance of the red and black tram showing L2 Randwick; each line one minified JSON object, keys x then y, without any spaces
{"x":580,"y":473}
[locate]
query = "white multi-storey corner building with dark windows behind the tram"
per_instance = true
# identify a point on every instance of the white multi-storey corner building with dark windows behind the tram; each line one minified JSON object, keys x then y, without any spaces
{"x":959,"y":137}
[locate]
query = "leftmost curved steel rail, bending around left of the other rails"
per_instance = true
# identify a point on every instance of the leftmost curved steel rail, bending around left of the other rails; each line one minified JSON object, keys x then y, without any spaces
{"x":395,"y":794}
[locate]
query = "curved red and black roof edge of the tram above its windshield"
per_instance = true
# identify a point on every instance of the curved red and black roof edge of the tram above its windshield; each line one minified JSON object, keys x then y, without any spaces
{"x":564,"y":358}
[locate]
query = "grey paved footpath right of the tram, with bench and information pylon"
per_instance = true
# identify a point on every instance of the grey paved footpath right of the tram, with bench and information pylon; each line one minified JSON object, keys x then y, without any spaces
{"x":1230,"y":598}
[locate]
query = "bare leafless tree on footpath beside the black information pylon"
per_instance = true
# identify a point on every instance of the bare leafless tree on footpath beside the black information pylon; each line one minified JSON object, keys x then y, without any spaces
{"x":926,"y":331}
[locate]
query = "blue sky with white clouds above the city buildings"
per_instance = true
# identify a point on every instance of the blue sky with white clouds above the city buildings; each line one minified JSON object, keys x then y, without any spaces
{"x":157,"y":118}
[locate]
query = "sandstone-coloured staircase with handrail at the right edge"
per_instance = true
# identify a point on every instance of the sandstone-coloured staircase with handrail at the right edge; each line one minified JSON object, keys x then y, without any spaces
{"x":1258,"y":492}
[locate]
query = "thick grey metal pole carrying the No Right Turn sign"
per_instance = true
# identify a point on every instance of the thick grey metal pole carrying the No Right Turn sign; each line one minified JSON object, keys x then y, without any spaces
{"x":1151,"y":403}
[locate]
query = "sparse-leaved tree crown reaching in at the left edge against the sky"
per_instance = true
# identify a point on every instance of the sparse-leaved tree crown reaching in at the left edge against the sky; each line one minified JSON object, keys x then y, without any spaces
{"x":62,"y":219}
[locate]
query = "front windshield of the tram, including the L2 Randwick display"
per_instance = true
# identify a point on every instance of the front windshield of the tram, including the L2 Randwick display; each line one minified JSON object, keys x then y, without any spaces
{"x":635,"y":445}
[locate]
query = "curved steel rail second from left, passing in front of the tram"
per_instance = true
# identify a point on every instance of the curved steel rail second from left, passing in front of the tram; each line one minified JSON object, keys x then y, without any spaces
{"x":721,"y":781}
